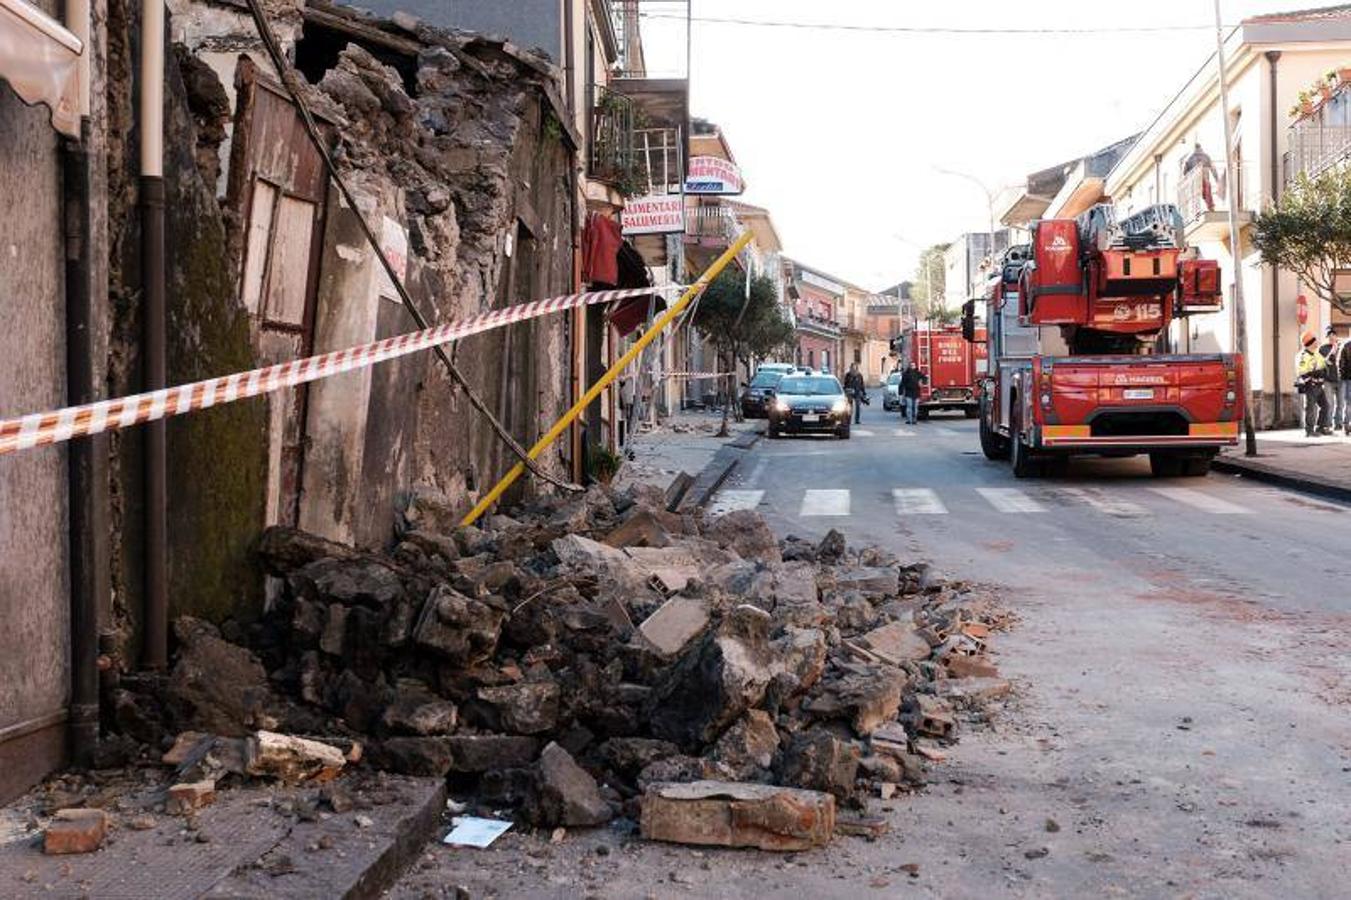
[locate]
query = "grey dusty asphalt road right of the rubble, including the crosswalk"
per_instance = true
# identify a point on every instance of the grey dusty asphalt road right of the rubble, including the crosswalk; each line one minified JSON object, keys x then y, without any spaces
{"x":1181,"y":661}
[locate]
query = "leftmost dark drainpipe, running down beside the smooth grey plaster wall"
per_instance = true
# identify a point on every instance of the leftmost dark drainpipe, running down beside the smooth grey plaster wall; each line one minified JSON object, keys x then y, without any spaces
{"x":87,"y":461}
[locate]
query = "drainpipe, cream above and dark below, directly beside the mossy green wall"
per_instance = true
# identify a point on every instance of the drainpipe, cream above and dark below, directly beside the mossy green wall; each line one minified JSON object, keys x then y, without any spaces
{"x":156,"y":648}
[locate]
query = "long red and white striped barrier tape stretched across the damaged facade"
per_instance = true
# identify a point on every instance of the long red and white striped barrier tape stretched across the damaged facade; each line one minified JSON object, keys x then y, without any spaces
{"x":41,"y":429}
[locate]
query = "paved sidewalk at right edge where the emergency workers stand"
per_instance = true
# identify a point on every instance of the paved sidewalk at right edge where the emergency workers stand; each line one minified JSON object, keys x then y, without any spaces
{"x":1291,"y":460}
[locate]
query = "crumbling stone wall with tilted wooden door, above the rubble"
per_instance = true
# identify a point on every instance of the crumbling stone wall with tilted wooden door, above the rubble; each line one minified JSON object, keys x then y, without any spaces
{"x":453,"y":147}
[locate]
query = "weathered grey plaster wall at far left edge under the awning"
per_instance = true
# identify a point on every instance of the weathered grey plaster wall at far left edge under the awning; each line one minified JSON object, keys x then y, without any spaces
{"x":34,"y":580}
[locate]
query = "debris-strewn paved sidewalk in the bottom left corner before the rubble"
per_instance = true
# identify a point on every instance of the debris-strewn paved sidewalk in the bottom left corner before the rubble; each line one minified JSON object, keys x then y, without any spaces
{"x":255,"y":841}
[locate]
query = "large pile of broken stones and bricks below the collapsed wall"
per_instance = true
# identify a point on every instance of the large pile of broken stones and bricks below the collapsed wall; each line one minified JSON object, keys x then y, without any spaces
{"x":599,"y":656}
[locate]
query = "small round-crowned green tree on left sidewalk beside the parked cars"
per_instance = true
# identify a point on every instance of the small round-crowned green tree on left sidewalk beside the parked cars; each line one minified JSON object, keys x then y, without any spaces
{"x":742,"y":326}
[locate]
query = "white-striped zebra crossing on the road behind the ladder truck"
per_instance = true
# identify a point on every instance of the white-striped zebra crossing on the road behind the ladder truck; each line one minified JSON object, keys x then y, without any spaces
{"x":833,"y":503}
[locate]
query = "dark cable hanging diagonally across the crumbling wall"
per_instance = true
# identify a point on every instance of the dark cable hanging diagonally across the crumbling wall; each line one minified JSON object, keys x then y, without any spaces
{"x":287,"y":72}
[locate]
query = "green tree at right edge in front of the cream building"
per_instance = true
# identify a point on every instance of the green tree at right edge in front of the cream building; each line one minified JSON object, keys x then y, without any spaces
{"x":1308,"y":232}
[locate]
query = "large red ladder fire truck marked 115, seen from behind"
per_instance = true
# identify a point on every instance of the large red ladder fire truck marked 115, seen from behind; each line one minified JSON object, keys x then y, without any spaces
{"x":1076,"y":325}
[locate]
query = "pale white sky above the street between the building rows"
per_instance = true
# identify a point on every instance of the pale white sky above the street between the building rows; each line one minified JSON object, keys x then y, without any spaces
{"x":840,"y":133}
